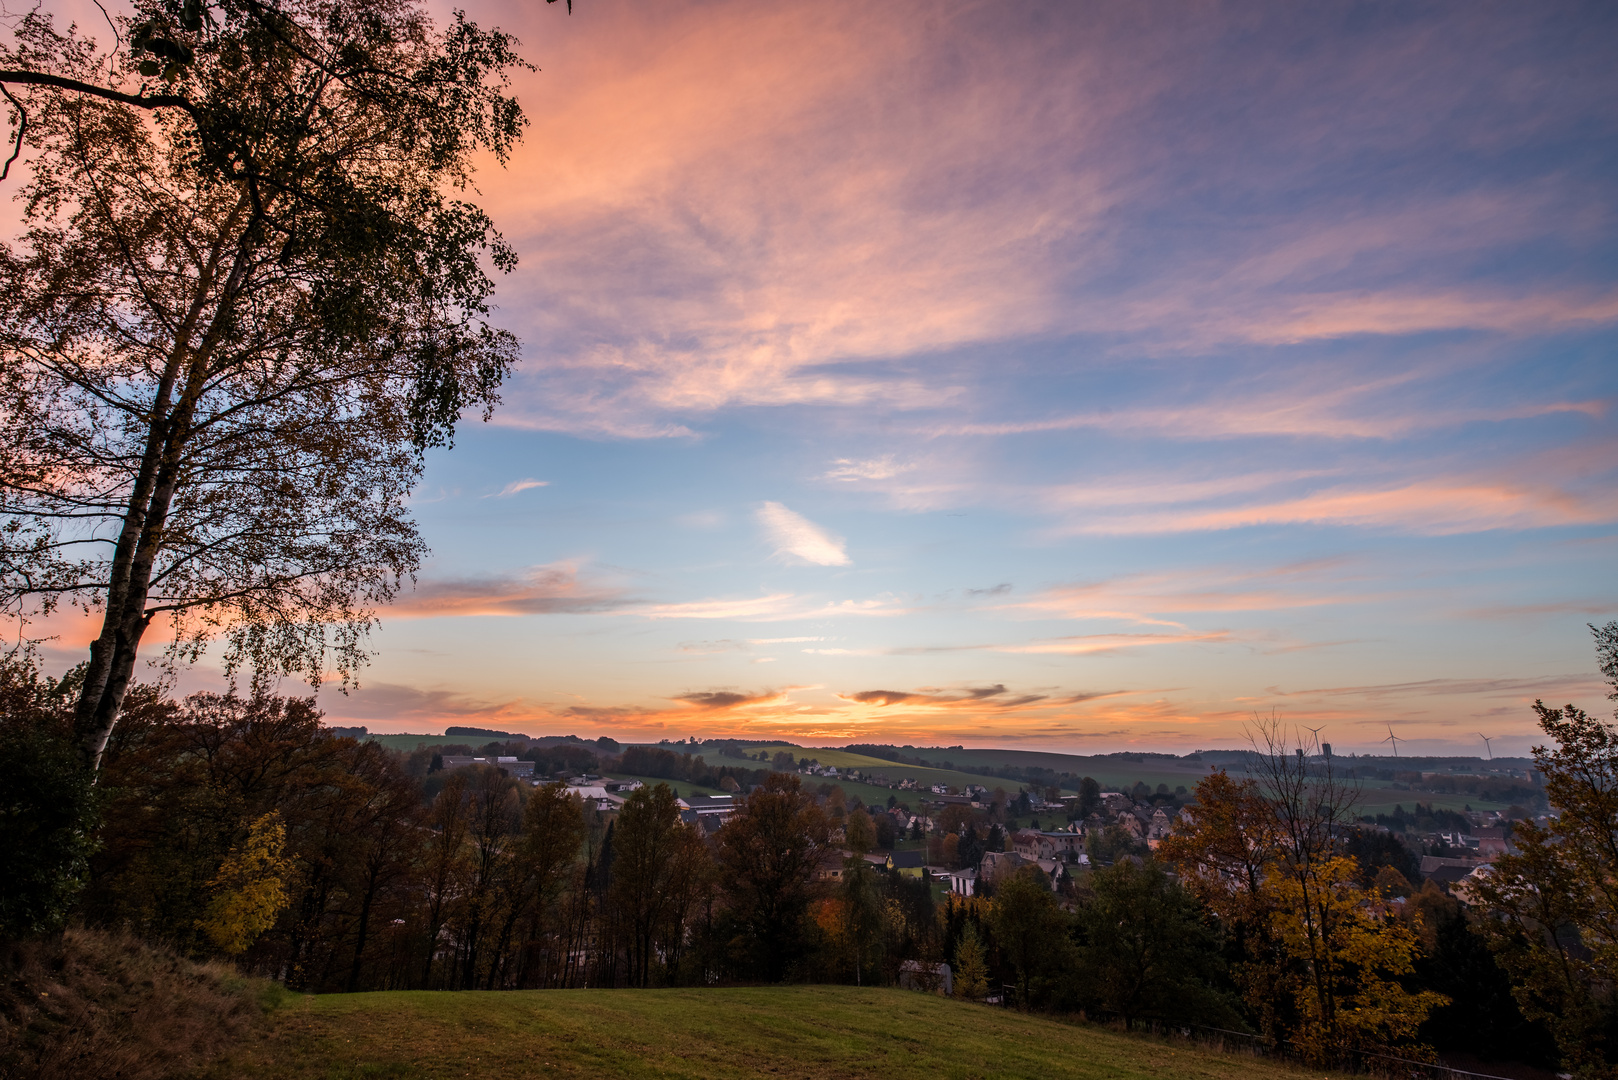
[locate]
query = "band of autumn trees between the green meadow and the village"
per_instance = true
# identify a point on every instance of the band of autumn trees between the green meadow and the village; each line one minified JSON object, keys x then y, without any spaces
{"x":242,"y":828}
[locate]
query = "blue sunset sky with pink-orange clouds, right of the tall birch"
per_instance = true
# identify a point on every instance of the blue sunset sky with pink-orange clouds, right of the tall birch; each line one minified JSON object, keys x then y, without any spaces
{"x":1075,"y":376}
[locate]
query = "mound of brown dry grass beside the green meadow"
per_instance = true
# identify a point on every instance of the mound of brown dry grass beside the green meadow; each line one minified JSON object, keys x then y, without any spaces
{"x":95,"y":1005}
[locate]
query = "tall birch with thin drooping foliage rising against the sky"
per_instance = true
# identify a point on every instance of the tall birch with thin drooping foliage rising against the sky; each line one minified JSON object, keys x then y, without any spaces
{"x":232,"y":328}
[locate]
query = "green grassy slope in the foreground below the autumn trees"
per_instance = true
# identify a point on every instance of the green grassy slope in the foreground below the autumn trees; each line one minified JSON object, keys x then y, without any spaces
{"x":705,"y":1035}
